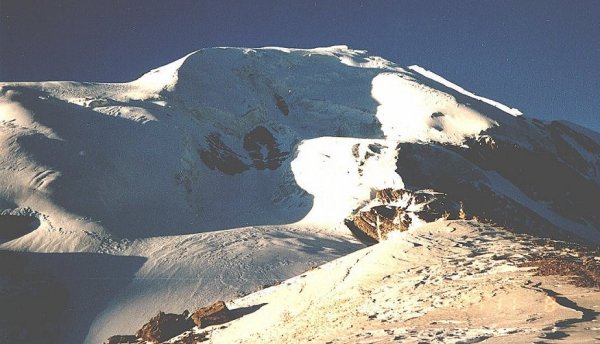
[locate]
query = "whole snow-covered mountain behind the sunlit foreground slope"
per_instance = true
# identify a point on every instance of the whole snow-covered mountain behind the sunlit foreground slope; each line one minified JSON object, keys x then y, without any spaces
{"x":268,"y":157}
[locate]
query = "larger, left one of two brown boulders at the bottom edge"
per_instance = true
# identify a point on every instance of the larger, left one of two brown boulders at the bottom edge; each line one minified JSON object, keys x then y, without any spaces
{"x":165,"y":326}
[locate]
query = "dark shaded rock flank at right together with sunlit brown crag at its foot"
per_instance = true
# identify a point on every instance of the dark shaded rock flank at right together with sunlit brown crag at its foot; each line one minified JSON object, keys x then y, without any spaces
{"x":544,"y":180}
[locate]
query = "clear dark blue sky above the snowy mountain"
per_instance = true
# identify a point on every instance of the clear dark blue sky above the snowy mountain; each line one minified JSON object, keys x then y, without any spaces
{"x":542,"y":57}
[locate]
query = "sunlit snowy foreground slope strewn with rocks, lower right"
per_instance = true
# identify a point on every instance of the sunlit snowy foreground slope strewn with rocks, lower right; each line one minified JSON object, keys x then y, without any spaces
{"x":445,"y":282}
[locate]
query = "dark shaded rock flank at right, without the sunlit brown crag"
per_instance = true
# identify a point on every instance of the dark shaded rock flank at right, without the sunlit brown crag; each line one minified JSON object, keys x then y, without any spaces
{"x":510,"y":183}
